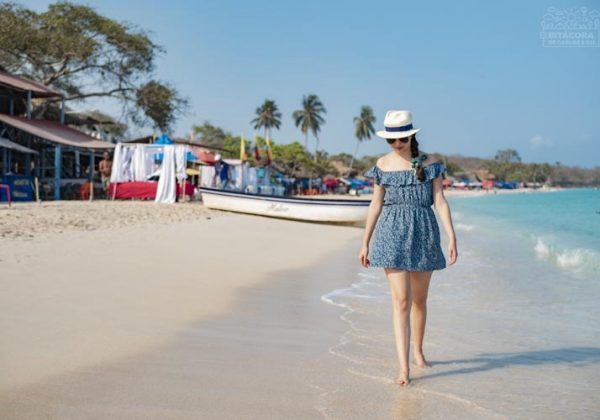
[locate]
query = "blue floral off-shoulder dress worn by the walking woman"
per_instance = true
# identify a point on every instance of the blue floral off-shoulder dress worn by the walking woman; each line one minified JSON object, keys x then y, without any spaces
{"x":407,"y":235}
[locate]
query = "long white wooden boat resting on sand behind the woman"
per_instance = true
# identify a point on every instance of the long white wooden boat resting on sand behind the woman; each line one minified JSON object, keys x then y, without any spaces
{"x":295,"y":208}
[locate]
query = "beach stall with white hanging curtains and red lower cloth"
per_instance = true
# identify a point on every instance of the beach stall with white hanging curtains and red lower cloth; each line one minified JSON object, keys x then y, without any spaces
{"x":150,"y":172}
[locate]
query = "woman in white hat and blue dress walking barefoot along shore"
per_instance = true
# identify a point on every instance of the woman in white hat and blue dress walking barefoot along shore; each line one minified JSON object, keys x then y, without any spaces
{"x":406,"y":240}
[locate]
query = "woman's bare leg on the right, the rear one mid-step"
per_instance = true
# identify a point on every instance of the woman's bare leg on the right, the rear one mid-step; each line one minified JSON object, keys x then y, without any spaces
{"x":419,"y":282}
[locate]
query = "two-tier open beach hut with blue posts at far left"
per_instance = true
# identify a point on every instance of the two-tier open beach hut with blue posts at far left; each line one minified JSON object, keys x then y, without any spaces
{"x":63,"y":156}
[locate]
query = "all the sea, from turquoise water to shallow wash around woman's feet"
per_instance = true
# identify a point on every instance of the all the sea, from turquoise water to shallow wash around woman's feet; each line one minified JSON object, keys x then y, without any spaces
{"x":513,"y":328}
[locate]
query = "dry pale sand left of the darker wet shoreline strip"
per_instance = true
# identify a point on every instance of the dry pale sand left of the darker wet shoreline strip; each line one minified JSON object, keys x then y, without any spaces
{"x":99,"y":294}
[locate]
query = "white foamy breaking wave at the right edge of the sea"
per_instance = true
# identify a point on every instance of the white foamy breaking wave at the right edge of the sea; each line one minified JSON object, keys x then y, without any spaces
{"x":581,"y":260}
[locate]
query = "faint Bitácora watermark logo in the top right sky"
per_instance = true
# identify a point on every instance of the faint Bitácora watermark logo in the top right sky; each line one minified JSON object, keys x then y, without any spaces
{"x":570,"y":28}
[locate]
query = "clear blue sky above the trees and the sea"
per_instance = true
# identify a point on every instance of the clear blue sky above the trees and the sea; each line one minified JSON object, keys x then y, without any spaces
{"x":474,"y":74}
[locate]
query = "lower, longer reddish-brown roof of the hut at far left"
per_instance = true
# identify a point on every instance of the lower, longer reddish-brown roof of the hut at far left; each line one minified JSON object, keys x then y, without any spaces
{"x":56,"y":132}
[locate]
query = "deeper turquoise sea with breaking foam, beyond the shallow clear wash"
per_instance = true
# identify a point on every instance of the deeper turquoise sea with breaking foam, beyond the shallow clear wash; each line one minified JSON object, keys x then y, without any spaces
{"x":562,"y":228}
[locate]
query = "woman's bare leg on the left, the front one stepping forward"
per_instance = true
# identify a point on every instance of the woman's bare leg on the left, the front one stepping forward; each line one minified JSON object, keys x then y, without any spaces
{"x":401,"y":298}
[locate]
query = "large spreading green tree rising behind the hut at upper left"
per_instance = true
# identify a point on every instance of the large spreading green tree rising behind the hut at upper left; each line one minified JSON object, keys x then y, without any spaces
{"x":83,"y":54}
